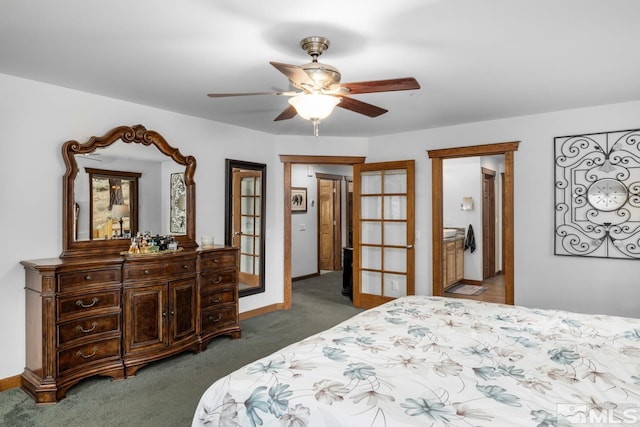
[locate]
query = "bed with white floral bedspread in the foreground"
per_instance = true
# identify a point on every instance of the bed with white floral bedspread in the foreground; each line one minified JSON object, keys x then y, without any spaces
{"x":439,"y":361}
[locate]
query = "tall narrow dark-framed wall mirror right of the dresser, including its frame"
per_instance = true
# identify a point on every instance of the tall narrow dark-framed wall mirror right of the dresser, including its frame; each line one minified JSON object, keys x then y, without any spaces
{"x":245,"y":221}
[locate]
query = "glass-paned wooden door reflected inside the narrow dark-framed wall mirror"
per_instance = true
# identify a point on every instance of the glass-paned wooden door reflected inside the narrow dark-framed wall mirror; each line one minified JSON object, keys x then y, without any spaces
{"x":246,"y":222}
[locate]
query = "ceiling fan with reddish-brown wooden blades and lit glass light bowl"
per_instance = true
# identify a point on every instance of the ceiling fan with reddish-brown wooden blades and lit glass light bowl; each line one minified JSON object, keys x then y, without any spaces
{"x":320,"y":90}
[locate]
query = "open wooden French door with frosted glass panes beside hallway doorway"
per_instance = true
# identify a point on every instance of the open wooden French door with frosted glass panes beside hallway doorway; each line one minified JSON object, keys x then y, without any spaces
{"x":383,"y":232}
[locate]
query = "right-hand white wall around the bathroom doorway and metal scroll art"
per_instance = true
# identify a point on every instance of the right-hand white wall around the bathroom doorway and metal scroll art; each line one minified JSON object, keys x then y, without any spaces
{"x":590,"y":285}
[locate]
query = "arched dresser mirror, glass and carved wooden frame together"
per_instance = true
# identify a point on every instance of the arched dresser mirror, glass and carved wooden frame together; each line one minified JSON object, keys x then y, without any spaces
{"x":136,"y":170}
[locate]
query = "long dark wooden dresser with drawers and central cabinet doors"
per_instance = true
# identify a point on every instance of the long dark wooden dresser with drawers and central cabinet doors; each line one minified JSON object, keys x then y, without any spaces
{"x":113,"y":315}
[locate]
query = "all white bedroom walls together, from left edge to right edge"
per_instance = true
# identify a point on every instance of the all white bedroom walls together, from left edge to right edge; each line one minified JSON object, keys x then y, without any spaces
{"x":38,"y":118}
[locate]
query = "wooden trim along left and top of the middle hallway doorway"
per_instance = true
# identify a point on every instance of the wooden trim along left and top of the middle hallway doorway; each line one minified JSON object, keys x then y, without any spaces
{"x":288,"y":160}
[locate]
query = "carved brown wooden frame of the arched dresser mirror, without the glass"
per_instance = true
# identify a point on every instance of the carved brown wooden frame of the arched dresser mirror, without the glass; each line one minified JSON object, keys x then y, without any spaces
{"x":128,"y":134}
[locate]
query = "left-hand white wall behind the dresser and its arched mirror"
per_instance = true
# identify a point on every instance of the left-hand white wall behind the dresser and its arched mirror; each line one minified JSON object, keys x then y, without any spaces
{"x":37,"y":119}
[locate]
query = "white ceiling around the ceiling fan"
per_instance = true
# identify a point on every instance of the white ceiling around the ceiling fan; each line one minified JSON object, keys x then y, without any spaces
{"x":474,"y":59}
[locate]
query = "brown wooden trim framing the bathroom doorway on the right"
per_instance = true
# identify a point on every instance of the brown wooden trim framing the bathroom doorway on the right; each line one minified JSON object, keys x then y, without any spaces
{"x":437,"y":221}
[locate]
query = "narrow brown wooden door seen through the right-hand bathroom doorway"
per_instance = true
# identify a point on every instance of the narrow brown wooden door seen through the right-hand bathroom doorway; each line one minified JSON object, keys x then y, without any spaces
{"x":488,"y":223}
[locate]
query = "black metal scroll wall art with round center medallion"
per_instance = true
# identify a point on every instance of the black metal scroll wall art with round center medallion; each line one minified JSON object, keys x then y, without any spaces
{"x":597,"y":195}
